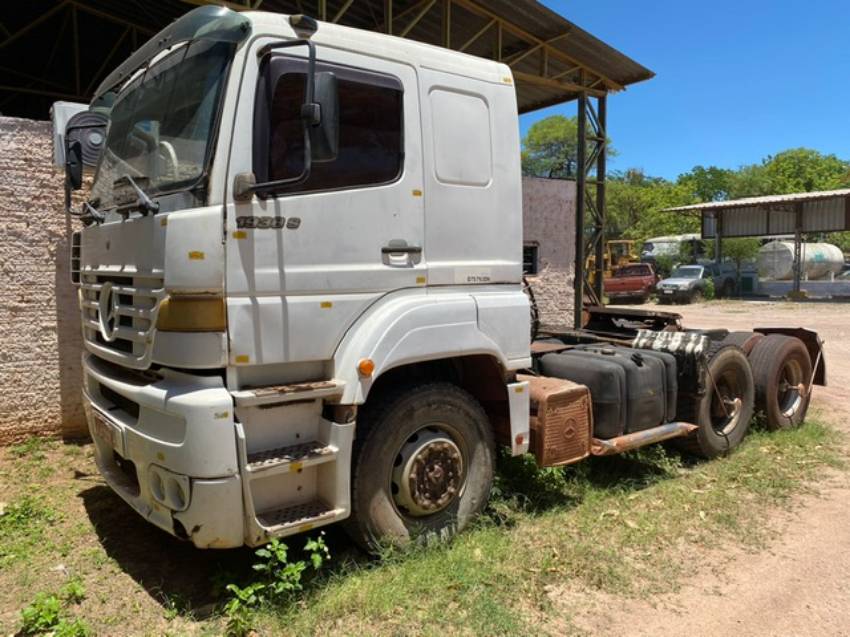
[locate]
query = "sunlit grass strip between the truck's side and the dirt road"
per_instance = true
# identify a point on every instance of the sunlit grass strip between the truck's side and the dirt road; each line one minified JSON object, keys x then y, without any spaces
{"x":631,"y":526}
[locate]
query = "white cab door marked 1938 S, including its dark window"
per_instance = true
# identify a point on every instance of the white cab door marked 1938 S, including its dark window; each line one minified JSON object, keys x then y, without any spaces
{"x":304,"y":261}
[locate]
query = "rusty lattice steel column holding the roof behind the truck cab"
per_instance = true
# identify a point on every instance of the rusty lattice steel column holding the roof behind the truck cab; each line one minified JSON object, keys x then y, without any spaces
{"x":590,"y":201}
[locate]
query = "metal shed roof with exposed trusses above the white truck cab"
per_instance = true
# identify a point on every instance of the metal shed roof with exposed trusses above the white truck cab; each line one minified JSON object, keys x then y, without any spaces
{"x":61,"y":49}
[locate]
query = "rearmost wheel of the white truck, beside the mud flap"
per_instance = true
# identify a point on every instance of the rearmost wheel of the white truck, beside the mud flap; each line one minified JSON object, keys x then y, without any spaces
{"x":779,"y":364}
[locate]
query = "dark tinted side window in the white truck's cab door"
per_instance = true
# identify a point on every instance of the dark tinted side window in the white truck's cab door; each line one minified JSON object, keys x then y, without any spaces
{"x":371,"y":141}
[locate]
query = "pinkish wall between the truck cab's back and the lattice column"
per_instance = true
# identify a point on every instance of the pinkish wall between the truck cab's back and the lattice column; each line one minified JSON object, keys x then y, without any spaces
{"x":549,"y":208}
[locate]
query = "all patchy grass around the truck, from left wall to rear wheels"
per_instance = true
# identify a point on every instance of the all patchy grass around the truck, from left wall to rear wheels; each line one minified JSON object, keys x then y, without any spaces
{"x":631,"y":525}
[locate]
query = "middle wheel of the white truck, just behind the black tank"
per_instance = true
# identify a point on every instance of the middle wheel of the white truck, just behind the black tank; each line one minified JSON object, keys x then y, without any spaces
{"x":718,"y":433}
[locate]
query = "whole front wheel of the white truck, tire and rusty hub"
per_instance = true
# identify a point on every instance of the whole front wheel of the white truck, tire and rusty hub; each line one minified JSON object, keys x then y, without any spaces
{"x":402,"y":435}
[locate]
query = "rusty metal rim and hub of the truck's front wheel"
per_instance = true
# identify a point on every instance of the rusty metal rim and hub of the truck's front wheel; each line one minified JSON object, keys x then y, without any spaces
{"x":429,"y":472}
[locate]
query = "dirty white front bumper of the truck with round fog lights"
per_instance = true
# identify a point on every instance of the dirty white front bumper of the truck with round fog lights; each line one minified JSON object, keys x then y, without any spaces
{"x":166,"y":444}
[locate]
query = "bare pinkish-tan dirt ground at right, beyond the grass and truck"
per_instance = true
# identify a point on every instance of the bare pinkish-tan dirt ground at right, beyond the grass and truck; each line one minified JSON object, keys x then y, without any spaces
{"x":800,"y":585}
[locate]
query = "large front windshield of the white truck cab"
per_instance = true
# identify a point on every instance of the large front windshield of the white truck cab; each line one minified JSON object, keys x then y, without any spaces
{"x":163,"y":122}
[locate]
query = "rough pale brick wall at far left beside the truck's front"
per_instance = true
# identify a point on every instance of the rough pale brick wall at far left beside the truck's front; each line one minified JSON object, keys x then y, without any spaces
{"x":40,"y":341}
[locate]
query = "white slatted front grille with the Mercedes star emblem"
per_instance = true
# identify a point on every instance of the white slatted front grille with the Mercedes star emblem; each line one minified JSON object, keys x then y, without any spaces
{"x":119,"y":315}
